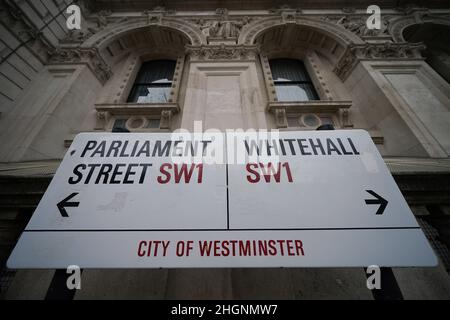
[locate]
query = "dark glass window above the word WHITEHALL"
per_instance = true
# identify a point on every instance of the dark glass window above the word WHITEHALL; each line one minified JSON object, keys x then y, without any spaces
{"x":292,"y":82}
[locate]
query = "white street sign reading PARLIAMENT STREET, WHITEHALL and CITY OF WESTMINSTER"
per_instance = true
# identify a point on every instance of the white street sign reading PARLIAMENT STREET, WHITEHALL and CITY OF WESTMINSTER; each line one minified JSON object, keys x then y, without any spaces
{"x":283,"y":199}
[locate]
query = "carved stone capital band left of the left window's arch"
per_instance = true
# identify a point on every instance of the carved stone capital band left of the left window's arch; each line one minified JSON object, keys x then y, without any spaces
{"x":88,"y":56}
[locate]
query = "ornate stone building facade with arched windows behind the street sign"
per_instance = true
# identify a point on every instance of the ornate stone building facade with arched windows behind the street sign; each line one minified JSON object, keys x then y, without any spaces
{"x":392,"y":82}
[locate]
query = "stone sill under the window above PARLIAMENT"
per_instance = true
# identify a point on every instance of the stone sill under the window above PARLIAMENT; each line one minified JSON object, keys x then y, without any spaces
{"x":132,"y":109}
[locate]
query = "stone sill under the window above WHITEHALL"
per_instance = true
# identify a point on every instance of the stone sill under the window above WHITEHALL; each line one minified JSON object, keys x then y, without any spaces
{"x":313,"y":106}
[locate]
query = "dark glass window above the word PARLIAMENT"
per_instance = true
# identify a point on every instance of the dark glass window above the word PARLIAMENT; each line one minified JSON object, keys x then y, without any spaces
{"x":153,"y":82}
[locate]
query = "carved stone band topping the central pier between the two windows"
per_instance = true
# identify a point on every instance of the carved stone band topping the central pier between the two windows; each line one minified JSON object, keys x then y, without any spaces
{"x":222,"y":52}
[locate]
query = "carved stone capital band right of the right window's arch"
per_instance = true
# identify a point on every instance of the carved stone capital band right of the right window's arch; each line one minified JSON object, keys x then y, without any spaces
{"x":376,"y":51}
